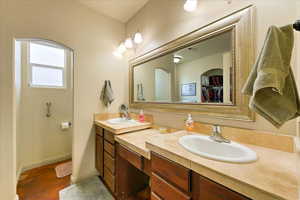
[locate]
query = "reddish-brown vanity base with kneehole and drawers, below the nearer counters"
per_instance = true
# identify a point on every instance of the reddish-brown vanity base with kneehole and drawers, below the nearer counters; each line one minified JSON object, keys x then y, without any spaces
{"x":169,"y":180}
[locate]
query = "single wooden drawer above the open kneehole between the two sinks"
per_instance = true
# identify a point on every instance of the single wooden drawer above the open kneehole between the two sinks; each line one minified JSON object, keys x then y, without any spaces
{"x":132,"y":157}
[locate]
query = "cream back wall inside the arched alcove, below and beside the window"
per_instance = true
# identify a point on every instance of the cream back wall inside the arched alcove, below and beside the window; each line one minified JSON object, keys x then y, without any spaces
{"x":40,"y":139}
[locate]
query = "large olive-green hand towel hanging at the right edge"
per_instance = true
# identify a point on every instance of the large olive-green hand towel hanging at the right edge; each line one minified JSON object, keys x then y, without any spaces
{"x":271,"y":83}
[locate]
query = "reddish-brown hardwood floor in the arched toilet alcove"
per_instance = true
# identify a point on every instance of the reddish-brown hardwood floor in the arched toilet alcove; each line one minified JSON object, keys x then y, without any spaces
{"x":41,"y":184}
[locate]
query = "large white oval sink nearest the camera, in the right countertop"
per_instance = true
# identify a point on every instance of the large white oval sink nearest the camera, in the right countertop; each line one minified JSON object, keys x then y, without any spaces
{"x":228,"y":152}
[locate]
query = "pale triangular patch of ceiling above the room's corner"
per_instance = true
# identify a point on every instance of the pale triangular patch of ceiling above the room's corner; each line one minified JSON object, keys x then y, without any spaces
{"x":121,"y":10}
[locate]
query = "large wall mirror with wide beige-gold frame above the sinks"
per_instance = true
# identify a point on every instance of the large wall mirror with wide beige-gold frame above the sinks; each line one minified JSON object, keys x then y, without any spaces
{"x":201,"y":72}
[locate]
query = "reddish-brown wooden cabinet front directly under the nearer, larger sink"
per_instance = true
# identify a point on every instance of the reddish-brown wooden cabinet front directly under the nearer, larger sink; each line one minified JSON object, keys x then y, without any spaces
{"x":170,"y":180}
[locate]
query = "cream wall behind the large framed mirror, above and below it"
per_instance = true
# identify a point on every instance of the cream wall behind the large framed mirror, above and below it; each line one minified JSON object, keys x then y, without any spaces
{"x":159,"y":28}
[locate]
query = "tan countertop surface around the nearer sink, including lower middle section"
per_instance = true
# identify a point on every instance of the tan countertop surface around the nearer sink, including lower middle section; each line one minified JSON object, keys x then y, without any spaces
{"x":273,"y":176}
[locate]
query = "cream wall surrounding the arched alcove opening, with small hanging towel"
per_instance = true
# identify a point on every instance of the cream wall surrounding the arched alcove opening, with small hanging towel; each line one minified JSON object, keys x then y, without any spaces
{"x":93,"y":38}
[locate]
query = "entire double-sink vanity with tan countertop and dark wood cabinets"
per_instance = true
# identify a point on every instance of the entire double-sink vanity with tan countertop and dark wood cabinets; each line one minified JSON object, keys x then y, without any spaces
{"x":143,"y":161}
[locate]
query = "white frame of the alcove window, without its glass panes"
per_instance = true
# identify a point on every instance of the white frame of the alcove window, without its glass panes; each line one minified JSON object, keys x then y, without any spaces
{"x":30,"y":66}
